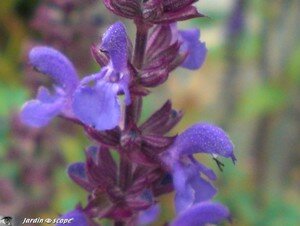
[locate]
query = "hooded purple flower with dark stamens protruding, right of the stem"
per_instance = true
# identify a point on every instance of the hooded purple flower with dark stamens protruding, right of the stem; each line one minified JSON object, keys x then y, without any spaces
{"x":190,"y":186}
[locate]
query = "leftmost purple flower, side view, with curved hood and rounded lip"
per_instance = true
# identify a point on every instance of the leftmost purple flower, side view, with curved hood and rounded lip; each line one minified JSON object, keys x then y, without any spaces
{"x":40,"y":111}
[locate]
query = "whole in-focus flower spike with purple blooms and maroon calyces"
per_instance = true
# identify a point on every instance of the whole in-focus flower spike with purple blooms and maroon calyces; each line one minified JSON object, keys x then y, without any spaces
{"x":108,"y":105}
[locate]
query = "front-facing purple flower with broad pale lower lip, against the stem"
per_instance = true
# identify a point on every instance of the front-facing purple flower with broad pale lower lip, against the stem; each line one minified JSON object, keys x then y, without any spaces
{"x":98,"y":105}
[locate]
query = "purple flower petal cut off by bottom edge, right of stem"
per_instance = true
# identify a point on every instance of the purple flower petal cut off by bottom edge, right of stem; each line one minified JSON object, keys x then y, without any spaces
{"x":202,"y":214}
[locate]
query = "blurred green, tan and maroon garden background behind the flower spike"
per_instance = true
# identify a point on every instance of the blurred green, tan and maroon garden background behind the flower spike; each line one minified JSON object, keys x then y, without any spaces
{"x":249,"y":85}
